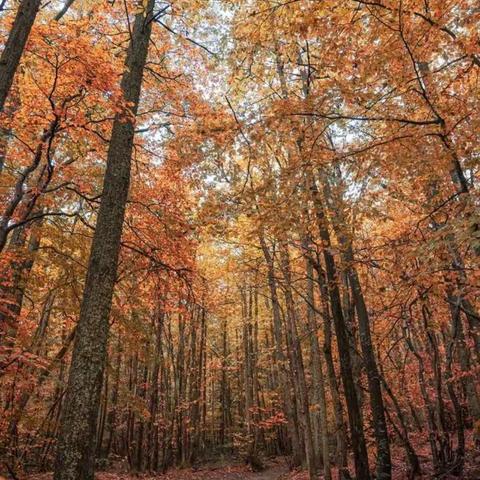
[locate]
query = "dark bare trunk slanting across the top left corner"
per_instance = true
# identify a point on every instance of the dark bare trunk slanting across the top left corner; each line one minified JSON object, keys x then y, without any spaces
{"x":17,"y":39}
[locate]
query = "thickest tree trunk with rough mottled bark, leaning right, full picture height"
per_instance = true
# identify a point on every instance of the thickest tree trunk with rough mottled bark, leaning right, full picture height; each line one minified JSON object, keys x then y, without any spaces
{"x":76,"y":442}
